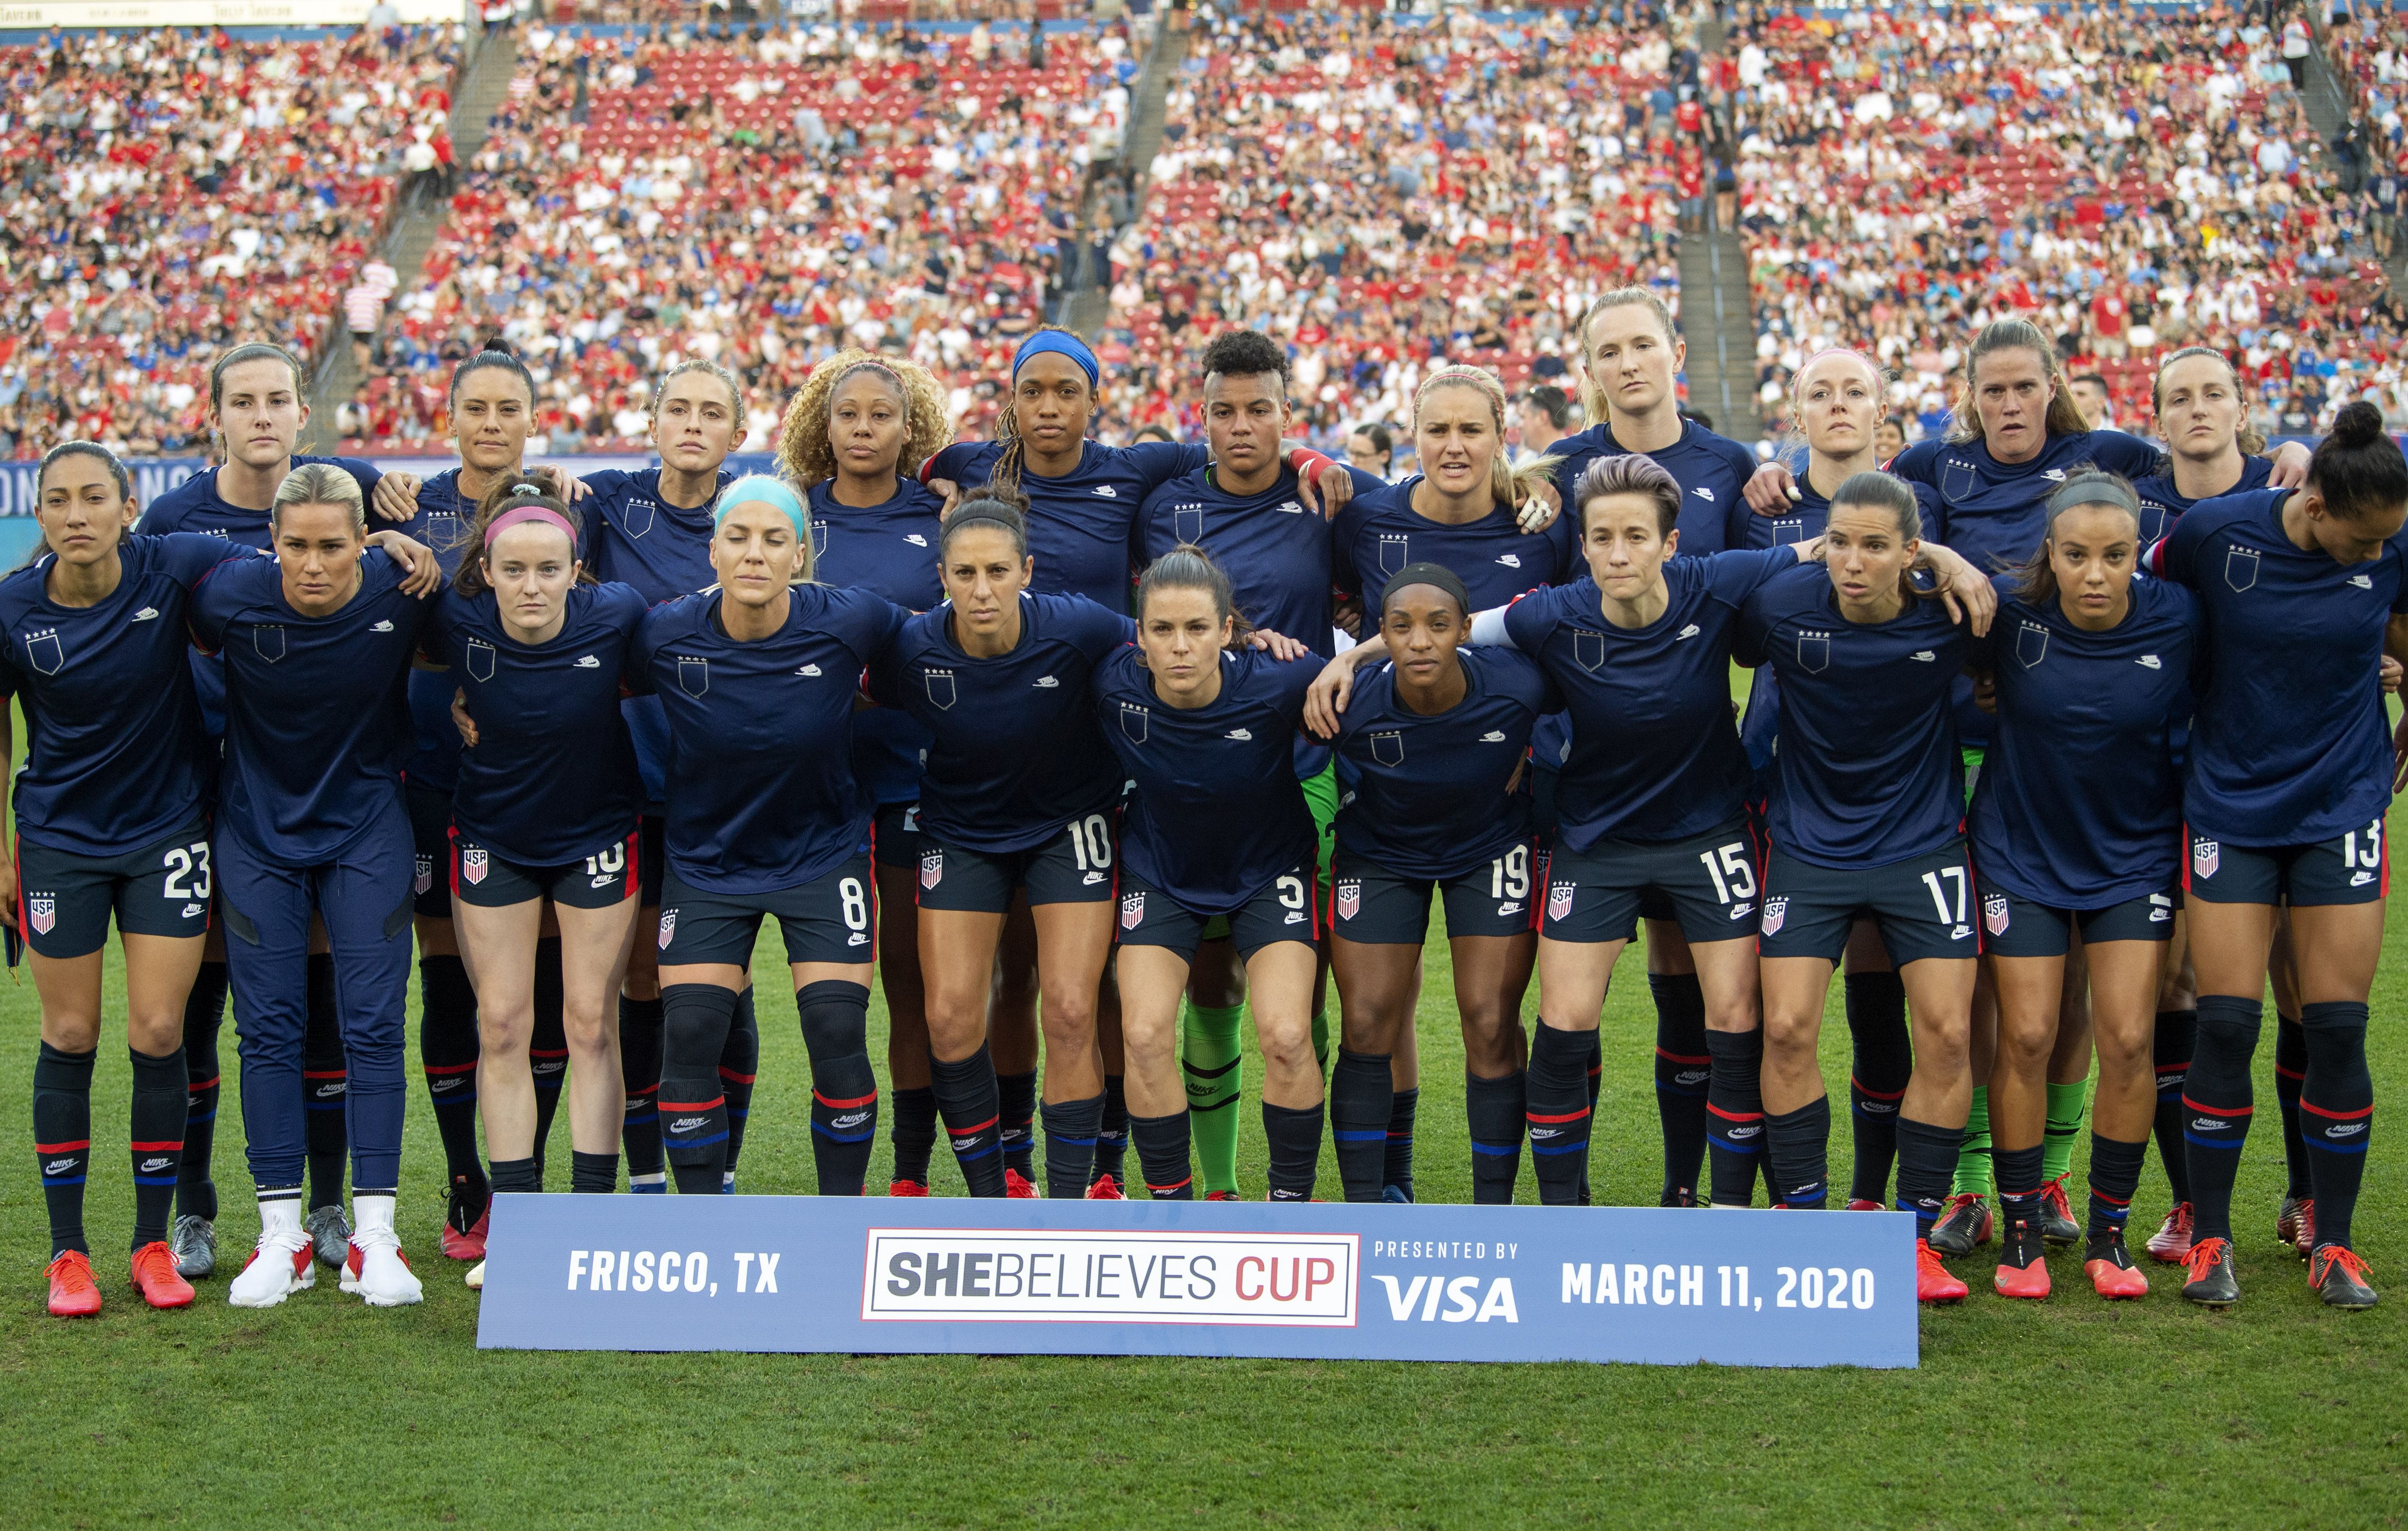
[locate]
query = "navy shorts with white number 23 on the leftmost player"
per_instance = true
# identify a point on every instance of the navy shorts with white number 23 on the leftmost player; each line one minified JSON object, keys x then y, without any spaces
{"x":66,"y":899}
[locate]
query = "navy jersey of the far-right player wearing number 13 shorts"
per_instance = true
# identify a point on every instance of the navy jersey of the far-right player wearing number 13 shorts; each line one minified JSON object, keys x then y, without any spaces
{"x":2291,"y":740}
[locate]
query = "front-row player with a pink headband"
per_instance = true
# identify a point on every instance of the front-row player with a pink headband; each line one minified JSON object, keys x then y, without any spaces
{"x":545,"y":812}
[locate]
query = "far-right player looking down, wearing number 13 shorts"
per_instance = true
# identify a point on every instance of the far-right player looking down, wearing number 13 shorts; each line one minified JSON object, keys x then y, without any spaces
{"x":2284,"y":803}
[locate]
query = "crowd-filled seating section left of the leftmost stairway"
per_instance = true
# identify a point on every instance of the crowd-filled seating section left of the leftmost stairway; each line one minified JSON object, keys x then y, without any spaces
{"x":179,"y":191}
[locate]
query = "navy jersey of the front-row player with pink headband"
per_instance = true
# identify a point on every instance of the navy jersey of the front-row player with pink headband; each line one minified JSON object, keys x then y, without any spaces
{"x":553,"y":779}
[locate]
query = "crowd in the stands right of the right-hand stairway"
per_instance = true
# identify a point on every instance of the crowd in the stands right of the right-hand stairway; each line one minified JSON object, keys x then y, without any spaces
{"x":1906,"y":177}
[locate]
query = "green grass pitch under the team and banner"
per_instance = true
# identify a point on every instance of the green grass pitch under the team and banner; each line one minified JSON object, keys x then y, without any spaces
{"x":2022,"y":1414}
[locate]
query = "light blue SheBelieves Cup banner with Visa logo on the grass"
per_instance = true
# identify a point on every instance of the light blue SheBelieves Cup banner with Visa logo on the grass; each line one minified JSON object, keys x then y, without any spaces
{"x":1330,"y":1282}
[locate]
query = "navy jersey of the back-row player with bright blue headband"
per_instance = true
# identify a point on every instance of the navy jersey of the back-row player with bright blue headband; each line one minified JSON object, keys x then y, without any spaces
{"x":1080,"y":524}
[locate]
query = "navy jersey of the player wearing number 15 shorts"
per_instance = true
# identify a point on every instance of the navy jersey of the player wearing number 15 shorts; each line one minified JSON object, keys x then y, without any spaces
{"x":1653,"y":752}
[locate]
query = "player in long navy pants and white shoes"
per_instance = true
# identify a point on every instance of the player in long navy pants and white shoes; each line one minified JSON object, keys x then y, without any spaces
{"x":312,"y":822}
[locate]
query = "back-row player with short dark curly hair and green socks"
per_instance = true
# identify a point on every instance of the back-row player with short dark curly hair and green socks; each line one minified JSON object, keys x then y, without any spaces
{"x":1249,"y":514}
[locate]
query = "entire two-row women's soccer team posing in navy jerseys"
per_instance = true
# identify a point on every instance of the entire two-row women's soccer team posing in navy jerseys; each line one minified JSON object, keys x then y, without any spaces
{"x":2062,"y":745}
